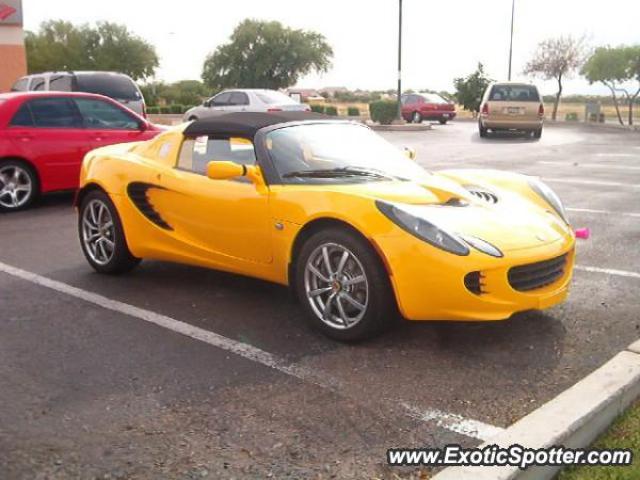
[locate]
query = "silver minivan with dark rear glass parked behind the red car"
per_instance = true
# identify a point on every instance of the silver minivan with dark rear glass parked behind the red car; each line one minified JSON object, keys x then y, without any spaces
{"x":118,"y":86}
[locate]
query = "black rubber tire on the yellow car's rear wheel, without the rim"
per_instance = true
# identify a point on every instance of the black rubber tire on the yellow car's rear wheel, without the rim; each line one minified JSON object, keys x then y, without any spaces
{"x":121,"y":260}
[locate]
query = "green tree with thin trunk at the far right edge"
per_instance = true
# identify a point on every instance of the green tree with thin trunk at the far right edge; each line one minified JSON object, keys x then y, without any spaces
{"x":608,"y":66}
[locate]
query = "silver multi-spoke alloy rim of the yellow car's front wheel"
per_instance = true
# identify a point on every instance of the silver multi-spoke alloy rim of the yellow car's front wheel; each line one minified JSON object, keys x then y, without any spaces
{"x":336,"y":286}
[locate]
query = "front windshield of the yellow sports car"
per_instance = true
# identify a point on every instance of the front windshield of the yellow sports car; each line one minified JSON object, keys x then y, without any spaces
{"x":337,"y":152}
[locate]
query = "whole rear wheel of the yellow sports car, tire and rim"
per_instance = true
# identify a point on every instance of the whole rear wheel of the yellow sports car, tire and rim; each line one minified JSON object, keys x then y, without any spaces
{"x":102,"y":236}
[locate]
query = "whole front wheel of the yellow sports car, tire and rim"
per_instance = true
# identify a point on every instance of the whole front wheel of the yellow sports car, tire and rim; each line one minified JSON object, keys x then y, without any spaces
{"x":343,"y":286}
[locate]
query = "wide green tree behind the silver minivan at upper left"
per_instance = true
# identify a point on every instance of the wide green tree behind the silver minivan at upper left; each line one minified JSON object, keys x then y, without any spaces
{"x":60,"y":45}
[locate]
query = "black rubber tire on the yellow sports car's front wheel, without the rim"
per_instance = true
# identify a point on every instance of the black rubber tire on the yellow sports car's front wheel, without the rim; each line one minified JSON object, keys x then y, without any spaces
{"x":380,"y":310}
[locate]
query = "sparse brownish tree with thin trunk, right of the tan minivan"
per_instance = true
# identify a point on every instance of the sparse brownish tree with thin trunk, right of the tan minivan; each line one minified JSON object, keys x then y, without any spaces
{"x":556,"y":58}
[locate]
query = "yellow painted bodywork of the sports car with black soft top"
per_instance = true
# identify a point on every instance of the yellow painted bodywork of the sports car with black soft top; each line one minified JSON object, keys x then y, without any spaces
{"x":249,"y":228}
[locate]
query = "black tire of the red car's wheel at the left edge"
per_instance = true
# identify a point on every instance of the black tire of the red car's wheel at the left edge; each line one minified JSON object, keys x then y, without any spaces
{"x":26,"y":178}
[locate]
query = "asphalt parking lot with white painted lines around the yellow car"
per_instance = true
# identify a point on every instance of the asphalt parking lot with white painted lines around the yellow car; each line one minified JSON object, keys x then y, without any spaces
{"x":98,"y":379}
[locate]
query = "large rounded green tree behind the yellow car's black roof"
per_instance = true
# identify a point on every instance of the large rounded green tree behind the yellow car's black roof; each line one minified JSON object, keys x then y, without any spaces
{"x":266,"y":55}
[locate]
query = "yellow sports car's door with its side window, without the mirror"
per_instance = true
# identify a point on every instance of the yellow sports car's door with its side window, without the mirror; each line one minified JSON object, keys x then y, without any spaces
{"x":225,"y":221}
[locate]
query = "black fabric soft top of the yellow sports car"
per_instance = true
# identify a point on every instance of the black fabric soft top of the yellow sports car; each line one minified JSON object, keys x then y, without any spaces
{"x":246,"y":124}
